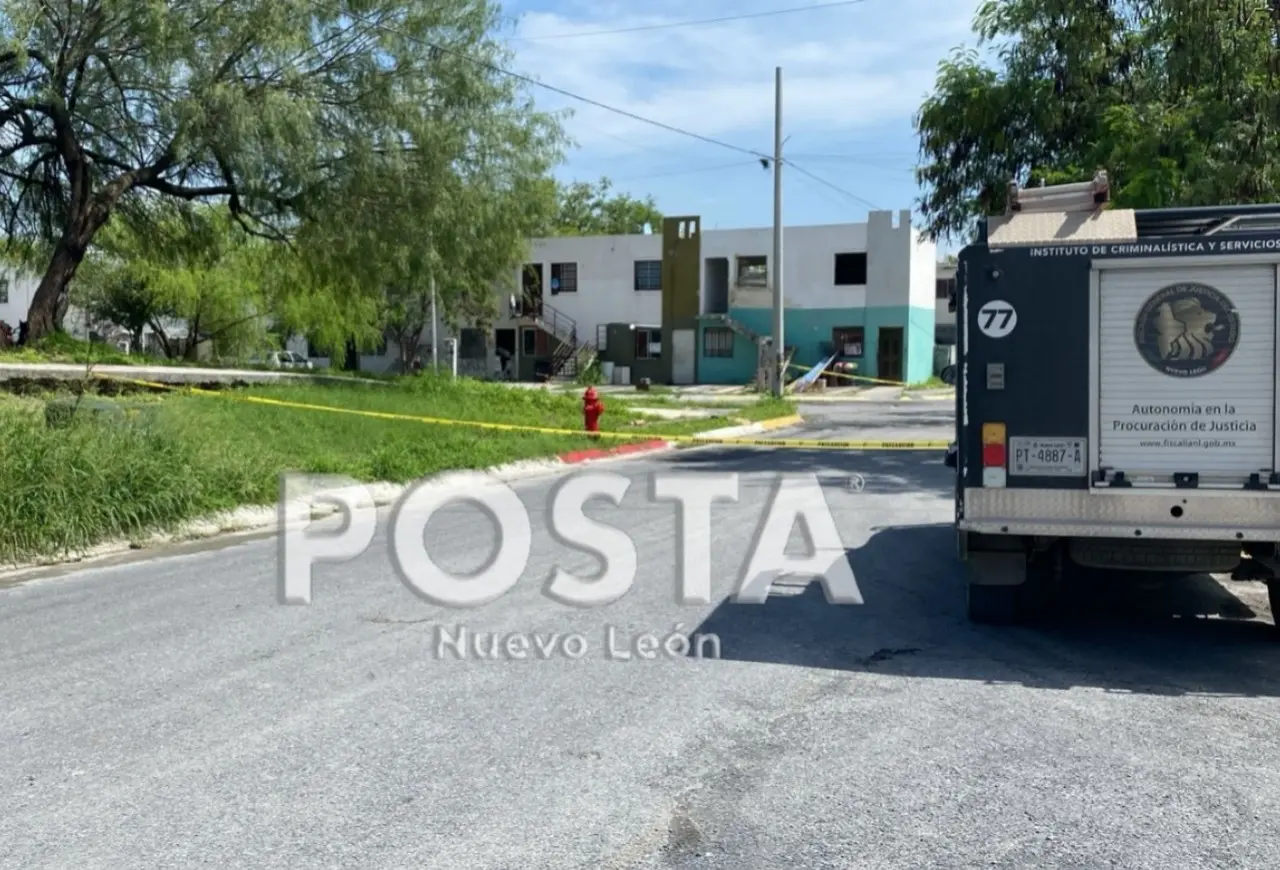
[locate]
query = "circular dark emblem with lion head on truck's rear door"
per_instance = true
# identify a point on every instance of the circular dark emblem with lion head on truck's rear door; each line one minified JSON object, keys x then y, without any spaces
{"x":1187,"y":329}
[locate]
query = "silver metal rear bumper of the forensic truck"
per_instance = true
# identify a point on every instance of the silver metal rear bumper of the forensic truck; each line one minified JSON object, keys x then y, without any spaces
{"x":1171,"y":515}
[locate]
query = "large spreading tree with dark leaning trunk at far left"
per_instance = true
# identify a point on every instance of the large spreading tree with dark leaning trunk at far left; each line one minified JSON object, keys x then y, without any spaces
{"x":267,"y":107}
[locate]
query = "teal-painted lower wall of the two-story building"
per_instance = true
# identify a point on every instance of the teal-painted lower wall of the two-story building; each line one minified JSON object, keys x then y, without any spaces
{"x":808,"y":329}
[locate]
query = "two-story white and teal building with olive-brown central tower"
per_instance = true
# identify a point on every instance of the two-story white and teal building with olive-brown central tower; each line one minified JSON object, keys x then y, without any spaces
{"x":696,"y":308}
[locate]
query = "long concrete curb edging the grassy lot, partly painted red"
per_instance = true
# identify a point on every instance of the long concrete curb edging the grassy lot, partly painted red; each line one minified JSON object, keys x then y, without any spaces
{"x":259,"y":519}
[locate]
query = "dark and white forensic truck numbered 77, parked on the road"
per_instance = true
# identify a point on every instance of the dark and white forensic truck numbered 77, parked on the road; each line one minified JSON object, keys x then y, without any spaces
{"x":1117,"y":393}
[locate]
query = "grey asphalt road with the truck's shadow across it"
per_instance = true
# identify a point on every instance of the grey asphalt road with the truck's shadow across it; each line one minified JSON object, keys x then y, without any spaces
{"x":171,"y":713}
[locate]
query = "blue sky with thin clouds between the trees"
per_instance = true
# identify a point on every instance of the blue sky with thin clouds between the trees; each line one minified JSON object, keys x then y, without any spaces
{"x":853,"y":77}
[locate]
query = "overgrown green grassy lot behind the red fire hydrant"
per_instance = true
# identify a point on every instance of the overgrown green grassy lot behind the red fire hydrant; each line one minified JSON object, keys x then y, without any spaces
{"x":186,"y":456}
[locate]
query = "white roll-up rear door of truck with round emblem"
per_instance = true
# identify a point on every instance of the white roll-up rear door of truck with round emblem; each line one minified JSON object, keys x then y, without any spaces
{"x":1183,"y":374}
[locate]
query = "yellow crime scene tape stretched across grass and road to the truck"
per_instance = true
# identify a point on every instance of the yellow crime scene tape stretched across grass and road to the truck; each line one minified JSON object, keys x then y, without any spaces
{"x":794,"y":443}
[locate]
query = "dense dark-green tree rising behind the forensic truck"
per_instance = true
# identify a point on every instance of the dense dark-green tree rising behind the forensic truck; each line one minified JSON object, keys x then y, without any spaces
{"x":1178,"y":99}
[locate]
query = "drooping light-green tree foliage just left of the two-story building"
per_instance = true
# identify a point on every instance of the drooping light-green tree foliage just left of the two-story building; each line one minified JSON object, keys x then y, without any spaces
{"x":460,"y":222}
